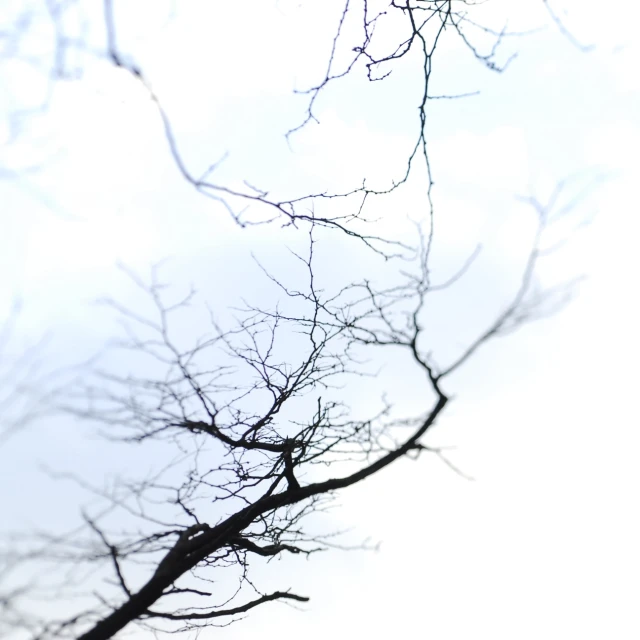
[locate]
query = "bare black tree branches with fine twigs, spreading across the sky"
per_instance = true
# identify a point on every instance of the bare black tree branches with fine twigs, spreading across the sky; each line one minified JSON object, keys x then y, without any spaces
{"x":257,"y":414}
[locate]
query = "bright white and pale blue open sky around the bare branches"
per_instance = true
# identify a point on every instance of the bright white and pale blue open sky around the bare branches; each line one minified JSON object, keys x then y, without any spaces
{"x":543,"y":543}
